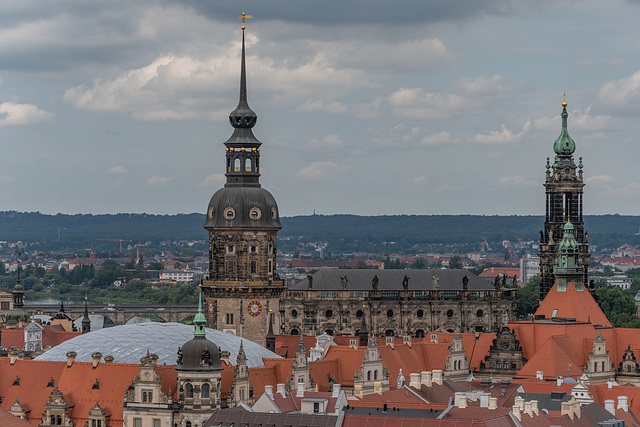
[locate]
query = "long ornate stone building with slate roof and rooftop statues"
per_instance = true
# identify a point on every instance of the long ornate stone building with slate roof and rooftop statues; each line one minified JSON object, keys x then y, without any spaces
{"x":395,"y":303}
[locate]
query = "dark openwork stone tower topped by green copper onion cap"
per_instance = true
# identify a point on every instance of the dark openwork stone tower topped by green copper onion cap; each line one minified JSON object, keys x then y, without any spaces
{"x":563,"y":200}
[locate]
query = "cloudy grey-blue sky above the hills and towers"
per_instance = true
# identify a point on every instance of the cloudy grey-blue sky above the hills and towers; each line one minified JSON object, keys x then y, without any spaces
{"x":365,"y":107}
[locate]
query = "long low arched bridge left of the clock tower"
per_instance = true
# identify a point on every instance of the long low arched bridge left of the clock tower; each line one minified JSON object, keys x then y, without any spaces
{"x":120,"y":313}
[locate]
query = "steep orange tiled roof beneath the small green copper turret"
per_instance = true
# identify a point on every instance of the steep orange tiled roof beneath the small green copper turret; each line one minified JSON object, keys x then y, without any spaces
{"x":573,"y":304}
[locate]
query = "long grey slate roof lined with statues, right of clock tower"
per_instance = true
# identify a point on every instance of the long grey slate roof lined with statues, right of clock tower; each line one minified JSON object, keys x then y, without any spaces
{"x":419,"y":280}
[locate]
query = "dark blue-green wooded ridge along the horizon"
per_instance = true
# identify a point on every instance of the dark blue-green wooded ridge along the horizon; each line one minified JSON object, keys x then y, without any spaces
{"x":344,"y":232}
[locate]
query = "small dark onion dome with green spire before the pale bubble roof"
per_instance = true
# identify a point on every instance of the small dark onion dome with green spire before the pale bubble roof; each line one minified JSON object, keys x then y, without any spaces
{"x":199,"y":354}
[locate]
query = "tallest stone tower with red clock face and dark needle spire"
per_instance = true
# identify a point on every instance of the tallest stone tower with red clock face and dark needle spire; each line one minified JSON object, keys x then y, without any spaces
{"x":242,"y":221}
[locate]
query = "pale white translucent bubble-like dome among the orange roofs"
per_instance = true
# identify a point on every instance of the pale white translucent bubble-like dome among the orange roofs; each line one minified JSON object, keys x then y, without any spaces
{"x":129,"y":343}
